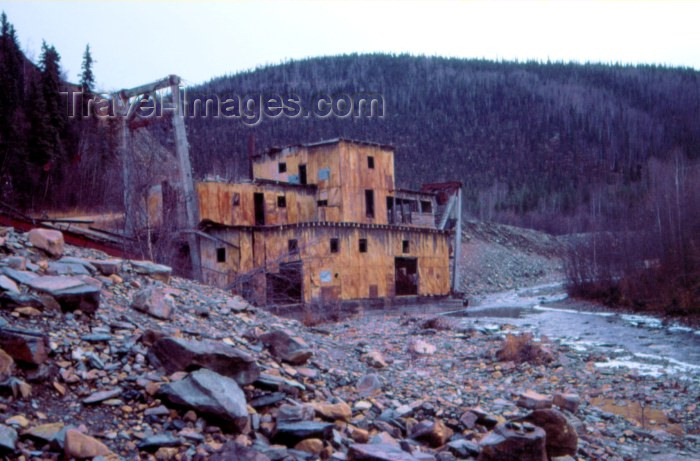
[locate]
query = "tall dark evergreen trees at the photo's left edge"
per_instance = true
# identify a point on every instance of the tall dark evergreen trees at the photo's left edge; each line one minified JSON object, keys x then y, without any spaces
{"x":49,"y":160}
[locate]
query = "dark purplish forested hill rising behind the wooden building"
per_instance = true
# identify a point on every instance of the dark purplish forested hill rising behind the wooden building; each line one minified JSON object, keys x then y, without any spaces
{"x":533,"y":143}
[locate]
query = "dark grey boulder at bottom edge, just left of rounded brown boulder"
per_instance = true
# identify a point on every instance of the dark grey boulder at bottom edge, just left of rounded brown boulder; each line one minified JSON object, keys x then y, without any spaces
{"x":514,"y":441}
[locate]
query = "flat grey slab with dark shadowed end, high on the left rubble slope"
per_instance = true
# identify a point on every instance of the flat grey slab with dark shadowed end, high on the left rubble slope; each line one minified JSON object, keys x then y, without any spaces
{"x":71,"y":293}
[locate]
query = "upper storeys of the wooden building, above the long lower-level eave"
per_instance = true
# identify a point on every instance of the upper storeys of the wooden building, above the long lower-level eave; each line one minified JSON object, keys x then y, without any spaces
{"x":339,"y":181}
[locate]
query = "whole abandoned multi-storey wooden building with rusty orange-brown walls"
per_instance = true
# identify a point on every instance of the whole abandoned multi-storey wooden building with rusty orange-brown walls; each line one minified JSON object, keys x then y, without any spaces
{"x":324,"y":222}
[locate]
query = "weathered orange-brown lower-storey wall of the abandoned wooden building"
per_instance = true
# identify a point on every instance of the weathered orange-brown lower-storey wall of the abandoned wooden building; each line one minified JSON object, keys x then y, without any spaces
{"x":353,"y":275}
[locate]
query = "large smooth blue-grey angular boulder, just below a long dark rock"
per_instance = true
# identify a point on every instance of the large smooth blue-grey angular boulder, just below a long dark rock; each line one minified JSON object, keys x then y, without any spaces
{"x":211,"y":395}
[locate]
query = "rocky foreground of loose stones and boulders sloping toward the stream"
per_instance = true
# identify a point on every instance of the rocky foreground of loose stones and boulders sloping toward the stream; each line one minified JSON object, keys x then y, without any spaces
{"x":109,"y":359}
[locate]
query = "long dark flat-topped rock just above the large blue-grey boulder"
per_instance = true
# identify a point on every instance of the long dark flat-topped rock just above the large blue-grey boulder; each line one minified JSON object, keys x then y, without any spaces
{"x":177,"y":354}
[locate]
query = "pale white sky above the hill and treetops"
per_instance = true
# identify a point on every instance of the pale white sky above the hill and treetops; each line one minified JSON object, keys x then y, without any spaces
{"x":137,"y":42}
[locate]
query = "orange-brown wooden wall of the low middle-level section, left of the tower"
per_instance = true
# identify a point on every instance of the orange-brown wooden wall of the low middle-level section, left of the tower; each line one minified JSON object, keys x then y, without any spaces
{"x":216,"y":203}
